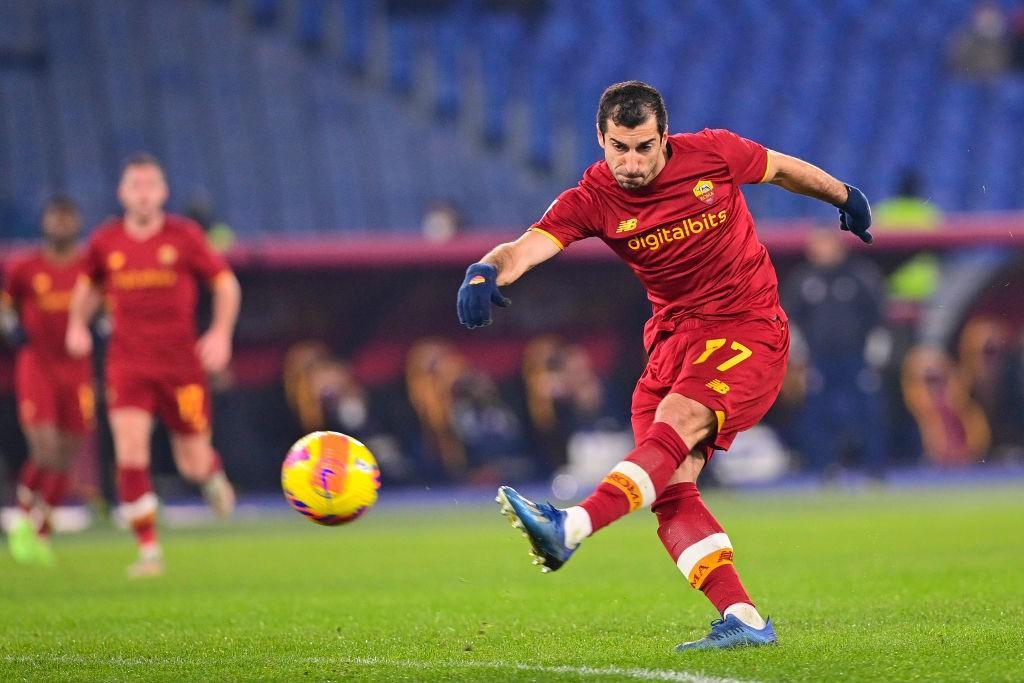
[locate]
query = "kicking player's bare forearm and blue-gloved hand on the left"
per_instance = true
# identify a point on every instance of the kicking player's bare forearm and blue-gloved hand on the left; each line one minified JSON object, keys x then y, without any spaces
{"x":503,"y":266}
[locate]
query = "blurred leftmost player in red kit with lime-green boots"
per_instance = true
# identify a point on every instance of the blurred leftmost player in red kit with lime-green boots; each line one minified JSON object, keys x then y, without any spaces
{"x":56,"y":401}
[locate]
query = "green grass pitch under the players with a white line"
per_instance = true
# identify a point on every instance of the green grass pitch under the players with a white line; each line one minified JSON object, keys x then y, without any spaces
{"x":887,"y":586}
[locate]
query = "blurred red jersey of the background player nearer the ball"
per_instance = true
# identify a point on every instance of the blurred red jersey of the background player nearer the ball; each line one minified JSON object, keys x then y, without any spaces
{"x":151,"y":287}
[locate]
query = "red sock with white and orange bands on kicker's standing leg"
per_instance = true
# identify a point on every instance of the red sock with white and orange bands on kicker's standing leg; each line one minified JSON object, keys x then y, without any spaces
{"x":698,"y":545}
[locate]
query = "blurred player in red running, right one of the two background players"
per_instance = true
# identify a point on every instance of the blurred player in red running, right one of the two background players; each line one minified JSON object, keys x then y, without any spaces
{"x":147,"y":264}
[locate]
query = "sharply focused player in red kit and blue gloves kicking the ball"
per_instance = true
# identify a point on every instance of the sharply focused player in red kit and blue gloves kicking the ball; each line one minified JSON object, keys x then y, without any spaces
{"x":671,"y":207}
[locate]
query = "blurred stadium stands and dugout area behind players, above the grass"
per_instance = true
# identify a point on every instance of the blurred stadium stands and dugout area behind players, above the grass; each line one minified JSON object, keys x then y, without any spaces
{"x":353,"y":157}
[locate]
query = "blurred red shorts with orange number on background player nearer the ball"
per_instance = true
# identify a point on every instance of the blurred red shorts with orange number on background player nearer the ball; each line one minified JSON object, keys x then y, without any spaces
{"x":180,"y":397}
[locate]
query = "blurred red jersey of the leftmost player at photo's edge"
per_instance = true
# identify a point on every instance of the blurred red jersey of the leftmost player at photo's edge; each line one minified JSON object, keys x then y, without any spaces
{"x":40,"y":290}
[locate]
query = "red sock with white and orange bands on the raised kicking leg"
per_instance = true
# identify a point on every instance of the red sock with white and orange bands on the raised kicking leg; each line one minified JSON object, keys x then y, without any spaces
{"x":637,"y":481}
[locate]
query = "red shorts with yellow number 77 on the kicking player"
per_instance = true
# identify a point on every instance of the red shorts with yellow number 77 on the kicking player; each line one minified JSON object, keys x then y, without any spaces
{"x":735,"y":367}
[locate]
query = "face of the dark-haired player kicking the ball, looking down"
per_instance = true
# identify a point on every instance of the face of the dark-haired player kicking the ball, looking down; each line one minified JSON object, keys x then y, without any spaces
{"x":635,"y":156}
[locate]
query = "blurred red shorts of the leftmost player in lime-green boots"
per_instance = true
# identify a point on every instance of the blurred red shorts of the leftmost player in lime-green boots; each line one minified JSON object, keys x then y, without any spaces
{"x":57,"y":392}
